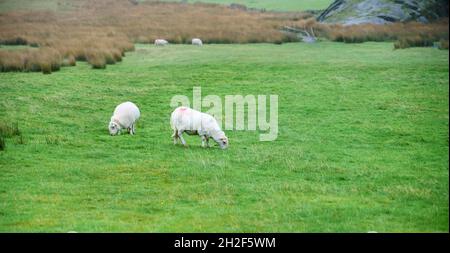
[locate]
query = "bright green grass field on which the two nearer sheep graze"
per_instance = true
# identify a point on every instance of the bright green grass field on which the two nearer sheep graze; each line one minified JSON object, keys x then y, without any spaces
{"x":362,"y":144}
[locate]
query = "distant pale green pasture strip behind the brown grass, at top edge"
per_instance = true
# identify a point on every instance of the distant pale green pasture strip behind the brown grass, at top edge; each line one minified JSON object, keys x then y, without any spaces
{"x":277,"y":5}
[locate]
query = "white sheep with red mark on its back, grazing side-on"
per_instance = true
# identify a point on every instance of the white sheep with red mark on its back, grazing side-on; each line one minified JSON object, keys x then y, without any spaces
{"x":192,"y":122}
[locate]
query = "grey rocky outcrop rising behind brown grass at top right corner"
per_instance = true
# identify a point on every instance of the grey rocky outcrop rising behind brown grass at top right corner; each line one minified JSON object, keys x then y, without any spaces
{"x":350,"y":12}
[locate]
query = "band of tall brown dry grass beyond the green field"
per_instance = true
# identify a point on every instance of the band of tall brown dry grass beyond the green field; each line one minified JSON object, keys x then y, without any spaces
{"x":101,"y":31}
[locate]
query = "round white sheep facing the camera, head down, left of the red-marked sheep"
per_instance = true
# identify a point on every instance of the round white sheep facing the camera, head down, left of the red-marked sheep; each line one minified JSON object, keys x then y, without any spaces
{"x":125,"y":116}
